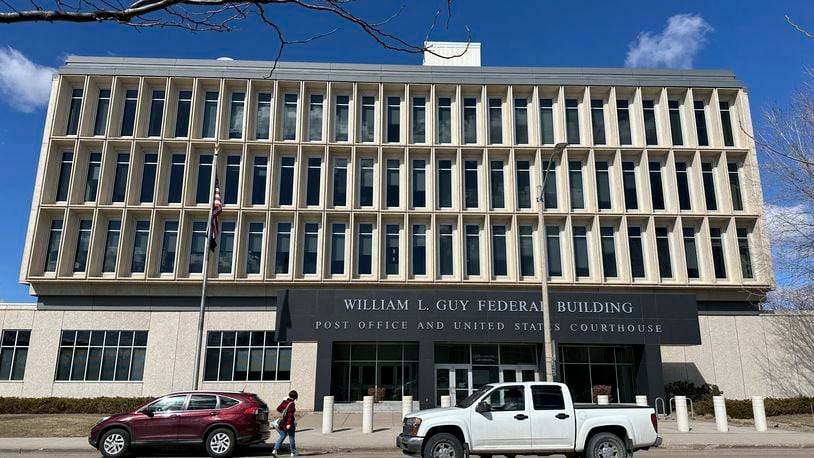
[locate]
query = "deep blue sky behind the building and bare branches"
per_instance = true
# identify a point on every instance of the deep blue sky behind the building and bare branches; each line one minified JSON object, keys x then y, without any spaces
{"x":749,"y":37}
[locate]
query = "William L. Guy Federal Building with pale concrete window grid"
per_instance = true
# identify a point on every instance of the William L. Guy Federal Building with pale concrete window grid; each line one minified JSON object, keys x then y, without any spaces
{"x":380,"y":232}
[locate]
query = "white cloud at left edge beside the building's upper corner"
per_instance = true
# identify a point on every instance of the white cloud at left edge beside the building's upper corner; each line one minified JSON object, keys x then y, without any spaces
{"x":23,"y":84}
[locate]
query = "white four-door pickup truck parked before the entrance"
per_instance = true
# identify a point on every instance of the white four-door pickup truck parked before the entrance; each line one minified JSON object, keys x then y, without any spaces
{"x":530,"y":418}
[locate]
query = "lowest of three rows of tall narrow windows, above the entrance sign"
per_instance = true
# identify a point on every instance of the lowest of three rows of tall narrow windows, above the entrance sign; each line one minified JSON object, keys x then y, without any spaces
{"x":504,"y":246}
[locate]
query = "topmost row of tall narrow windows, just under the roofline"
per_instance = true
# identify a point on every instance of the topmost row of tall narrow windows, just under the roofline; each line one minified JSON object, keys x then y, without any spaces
{"x":313,"y":124}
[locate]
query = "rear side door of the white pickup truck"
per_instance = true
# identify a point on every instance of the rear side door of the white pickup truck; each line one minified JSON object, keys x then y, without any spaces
{"x":552,"y":418}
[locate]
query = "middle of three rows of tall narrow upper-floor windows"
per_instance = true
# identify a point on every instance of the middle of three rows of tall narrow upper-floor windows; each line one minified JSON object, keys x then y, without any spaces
{"x":608,"y":177}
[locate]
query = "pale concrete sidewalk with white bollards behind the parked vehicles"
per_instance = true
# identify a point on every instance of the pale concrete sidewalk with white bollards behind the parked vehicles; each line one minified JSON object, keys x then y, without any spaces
{"x":348,"y":435}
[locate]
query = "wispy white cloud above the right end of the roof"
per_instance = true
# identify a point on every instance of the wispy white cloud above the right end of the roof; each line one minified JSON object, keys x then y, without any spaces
{"x":674,"y":47}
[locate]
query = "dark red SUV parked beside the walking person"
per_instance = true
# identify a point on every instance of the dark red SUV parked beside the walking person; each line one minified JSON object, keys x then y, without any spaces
{"x":220,"y":421}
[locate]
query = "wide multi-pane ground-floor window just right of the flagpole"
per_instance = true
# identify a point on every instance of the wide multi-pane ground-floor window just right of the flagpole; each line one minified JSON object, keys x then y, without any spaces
{"x":237,"y":356}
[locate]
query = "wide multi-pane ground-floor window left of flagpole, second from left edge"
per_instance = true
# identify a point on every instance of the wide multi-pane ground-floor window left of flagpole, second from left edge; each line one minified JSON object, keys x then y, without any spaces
{"x":101,"y":355}
